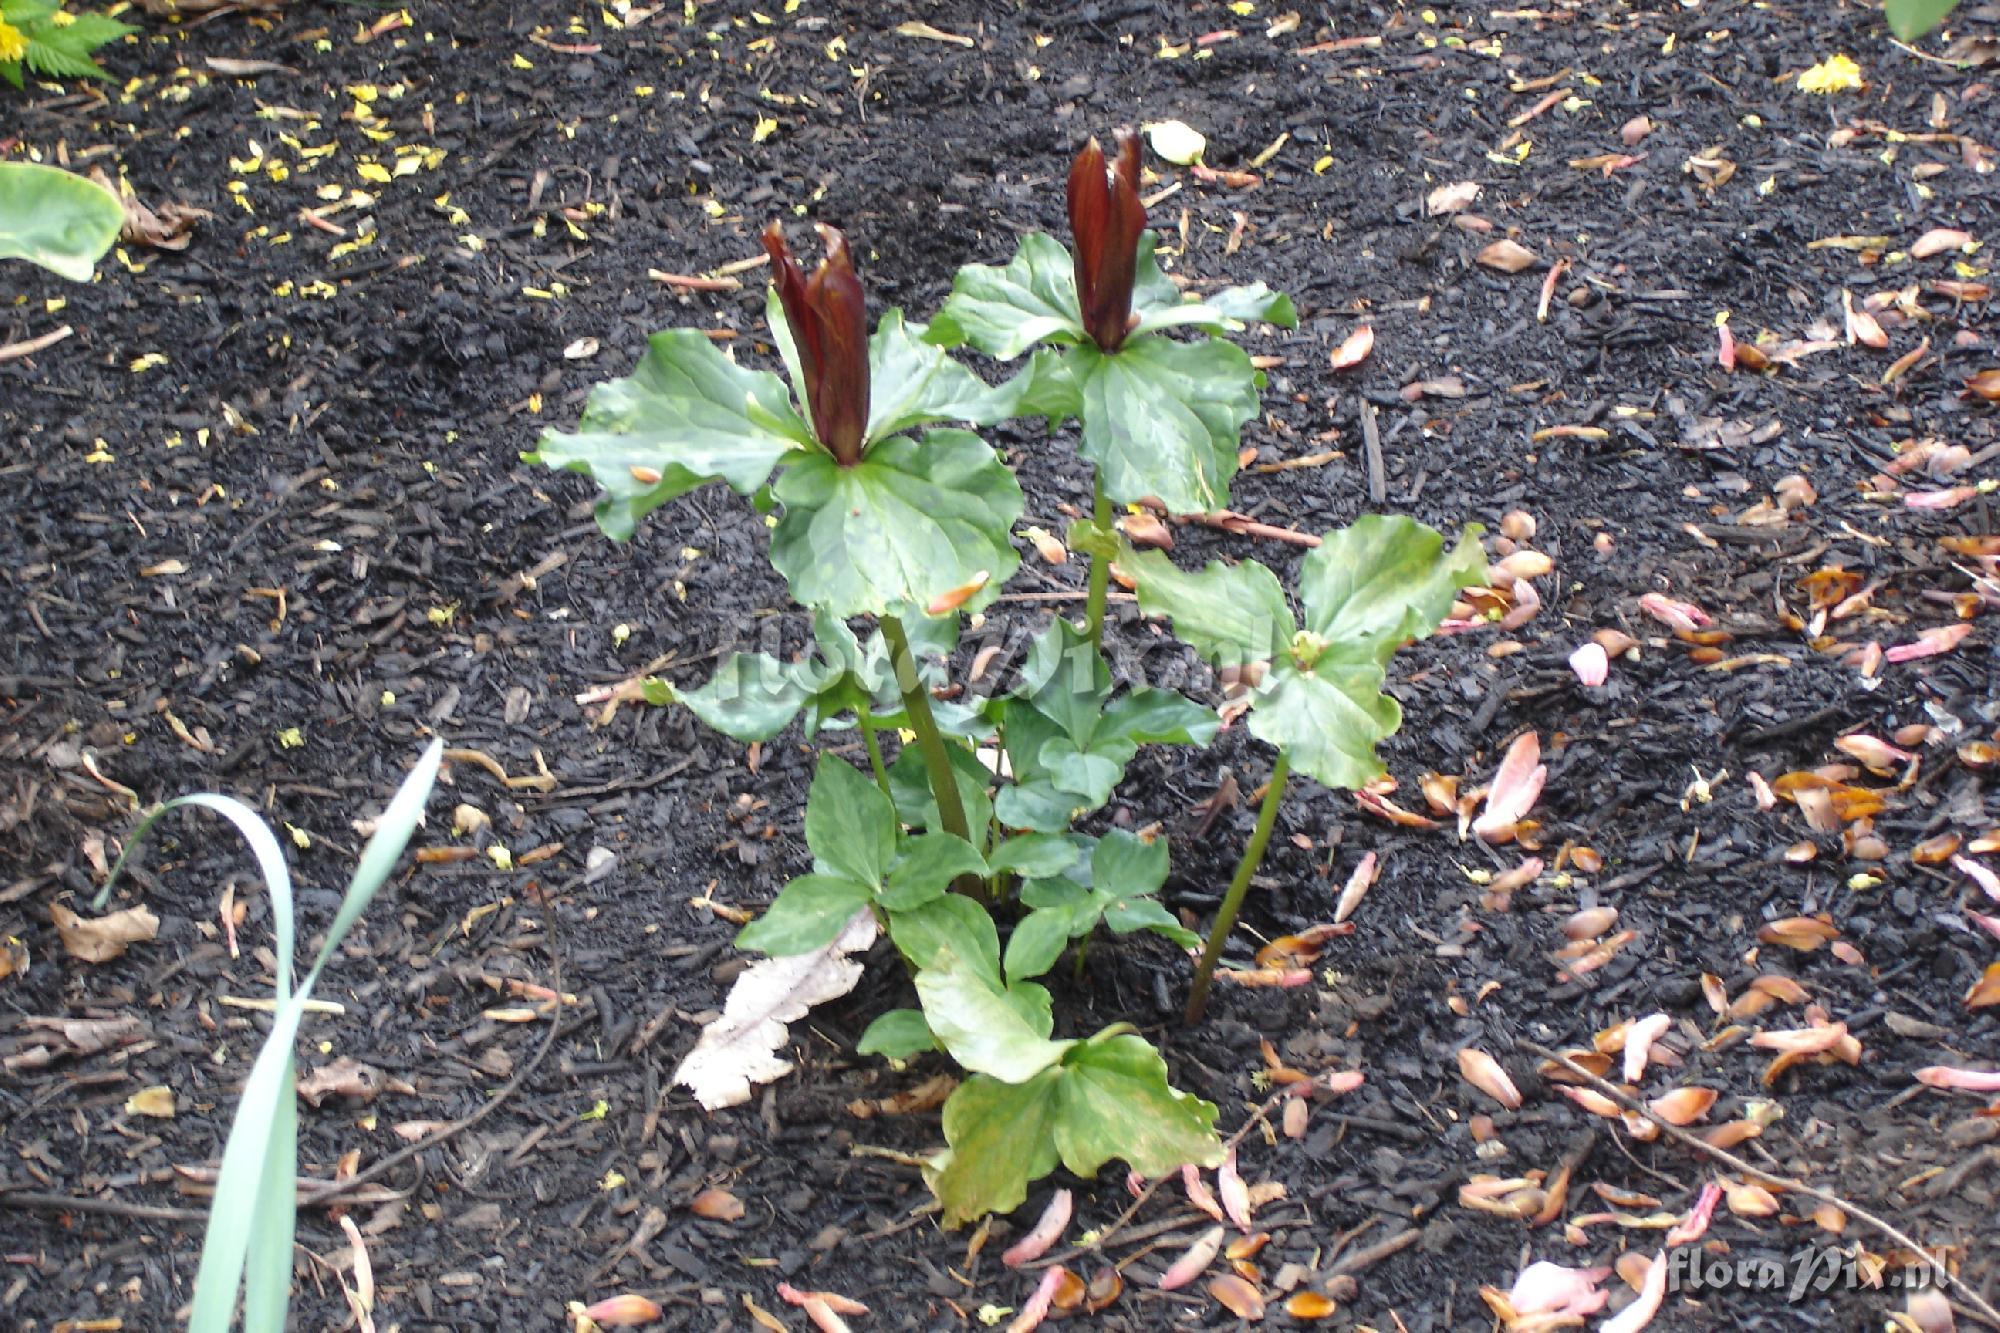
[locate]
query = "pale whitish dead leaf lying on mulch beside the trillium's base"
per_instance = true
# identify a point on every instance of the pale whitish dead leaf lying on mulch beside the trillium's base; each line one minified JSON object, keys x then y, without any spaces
{"x":741,"y":1050}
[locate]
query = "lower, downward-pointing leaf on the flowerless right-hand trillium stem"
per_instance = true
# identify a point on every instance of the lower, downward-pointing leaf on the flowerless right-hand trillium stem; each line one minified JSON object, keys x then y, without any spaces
{"x":1327,"y":720}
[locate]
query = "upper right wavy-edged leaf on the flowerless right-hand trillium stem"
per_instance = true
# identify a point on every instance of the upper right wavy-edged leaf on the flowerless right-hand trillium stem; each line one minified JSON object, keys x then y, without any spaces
{"x":1381,"y":583}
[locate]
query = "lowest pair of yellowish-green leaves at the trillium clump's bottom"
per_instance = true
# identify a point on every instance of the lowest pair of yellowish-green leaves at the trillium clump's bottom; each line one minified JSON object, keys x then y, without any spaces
{"x":1107,"y":1100}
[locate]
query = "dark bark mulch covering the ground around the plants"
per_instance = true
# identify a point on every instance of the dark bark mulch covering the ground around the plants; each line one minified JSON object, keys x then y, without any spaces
{"x":341,"y":423}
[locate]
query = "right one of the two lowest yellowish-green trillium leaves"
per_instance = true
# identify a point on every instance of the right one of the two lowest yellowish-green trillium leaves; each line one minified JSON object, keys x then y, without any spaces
{"x":1115,"y":1102}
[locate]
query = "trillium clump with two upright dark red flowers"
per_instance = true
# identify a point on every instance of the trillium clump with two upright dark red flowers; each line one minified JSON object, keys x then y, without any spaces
{"x":969,"y":838}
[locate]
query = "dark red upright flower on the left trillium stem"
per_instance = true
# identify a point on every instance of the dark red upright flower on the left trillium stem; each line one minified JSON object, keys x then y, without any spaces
{"x":831,"y":329}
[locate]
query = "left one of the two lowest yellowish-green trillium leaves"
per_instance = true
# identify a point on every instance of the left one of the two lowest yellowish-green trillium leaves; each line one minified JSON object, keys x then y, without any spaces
{"x":1001,"y":1142}
